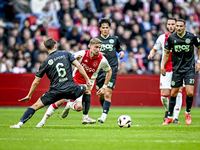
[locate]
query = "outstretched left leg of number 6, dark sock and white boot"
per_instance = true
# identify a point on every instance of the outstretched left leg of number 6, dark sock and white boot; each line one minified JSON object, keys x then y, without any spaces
{"x":29,"y":113}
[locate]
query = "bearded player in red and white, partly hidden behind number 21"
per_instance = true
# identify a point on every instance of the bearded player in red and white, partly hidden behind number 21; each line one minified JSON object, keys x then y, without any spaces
{"x":165,"y":81}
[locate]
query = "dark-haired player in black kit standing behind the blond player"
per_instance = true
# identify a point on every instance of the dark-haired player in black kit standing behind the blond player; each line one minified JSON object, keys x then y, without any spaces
{"x":110,"y":46}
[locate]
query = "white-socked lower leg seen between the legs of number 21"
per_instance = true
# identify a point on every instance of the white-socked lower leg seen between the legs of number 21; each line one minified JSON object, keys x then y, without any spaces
{"x":178,"y":105}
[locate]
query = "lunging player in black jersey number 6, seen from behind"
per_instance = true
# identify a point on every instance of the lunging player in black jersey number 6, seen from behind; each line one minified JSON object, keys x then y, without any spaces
{"x":58,"y":69}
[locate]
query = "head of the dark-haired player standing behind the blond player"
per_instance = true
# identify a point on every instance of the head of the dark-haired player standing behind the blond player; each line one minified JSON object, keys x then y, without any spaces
{"x":104,"y":26}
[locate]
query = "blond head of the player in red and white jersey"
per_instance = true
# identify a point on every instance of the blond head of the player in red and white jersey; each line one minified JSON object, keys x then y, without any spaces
{"x":95,"y":46}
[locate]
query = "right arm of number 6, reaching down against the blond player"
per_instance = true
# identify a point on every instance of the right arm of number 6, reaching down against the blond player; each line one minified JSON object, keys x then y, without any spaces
{"x":83,"y":73}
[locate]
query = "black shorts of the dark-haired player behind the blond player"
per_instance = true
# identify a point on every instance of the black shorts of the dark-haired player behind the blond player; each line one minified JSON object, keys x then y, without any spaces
{"x":101,"y":78}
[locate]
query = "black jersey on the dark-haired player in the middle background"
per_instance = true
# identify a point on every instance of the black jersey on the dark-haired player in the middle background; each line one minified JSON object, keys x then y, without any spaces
{"x":110,"y":46}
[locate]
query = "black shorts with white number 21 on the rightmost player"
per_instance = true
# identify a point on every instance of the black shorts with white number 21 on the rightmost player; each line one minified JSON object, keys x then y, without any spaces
{"x":188,"y":77}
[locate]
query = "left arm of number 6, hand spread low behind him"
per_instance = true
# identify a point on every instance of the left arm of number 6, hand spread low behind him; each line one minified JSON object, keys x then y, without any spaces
{"x":34,"y":85}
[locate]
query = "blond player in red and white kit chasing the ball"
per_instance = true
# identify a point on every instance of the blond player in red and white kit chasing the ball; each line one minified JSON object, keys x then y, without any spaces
{"x":92,"y":61}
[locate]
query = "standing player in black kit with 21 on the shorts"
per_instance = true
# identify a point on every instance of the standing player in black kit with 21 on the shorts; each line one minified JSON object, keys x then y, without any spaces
{"x":182,"y":45}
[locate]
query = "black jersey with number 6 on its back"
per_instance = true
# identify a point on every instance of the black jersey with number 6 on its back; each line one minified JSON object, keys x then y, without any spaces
{"x":58,"y":69}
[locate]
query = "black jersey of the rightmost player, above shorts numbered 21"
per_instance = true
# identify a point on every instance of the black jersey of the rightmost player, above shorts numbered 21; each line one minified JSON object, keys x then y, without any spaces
{"x":182,"y":51}
